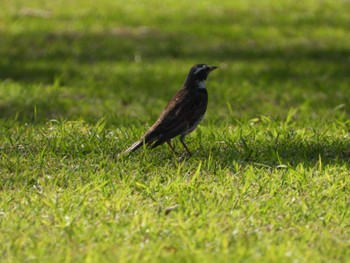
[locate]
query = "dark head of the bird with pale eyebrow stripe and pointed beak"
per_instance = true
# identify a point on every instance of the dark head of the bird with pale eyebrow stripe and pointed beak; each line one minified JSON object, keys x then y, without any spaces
{"x":198,"y":75}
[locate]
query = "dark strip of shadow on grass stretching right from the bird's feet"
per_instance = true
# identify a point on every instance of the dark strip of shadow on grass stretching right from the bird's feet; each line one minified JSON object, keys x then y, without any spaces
{"x":287,"y":154}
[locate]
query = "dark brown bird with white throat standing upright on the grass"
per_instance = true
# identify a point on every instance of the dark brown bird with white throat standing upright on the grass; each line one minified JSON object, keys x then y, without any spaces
{"x":182,"y":114}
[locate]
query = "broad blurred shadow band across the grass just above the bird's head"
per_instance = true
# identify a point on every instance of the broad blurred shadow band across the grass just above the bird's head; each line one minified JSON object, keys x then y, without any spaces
{"x":39,"y":57}
